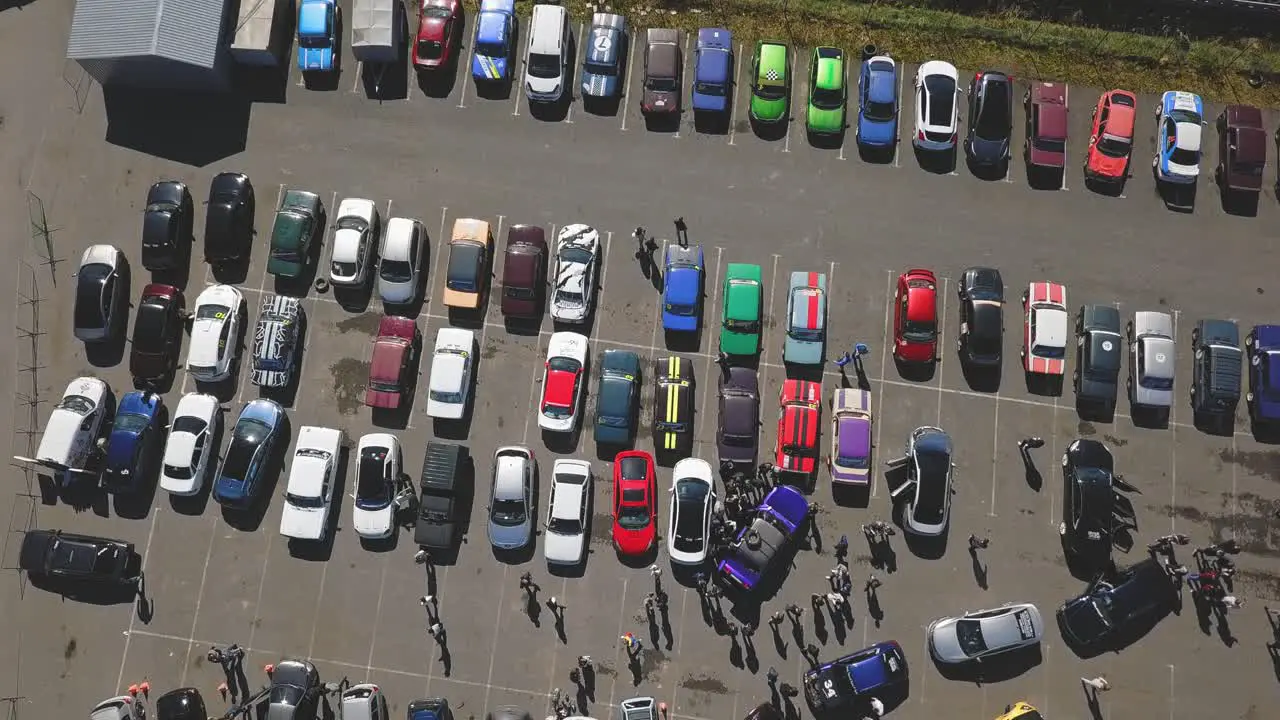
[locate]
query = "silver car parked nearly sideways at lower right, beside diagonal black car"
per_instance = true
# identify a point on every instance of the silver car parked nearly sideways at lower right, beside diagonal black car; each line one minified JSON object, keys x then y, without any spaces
{"x":982,"y":635}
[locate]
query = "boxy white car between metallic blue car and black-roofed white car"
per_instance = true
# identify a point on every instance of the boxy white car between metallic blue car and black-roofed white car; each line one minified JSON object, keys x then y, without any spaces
{"x":310,"y":489}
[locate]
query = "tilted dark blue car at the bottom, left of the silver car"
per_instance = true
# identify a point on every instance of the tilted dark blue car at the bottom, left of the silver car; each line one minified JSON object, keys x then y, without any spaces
{"x":847,"y":685}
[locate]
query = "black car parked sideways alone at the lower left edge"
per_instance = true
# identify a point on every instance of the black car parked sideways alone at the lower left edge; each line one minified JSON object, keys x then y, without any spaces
{"x":67,"y":557}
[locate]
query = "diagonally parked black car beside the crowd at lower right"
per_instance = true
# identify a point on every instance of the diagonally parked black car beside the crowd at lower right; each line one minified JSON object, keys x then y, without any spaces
{"x":1116,"y":603}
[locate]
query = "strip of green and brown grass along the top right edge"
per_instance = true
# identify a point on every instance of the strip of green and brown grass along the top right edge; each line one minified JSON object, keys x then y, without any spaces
{"x":1028,"y":49}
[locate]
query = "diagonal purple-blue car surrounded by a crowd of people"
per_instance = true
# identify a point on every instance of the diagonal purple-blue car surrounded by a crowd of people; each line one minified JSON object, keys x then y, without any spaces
{"x":766,"y":540}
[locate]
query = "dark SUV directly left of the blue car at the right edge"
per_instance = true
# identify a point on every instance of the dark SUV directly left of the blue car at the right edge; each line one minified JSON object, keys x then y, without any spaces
{"x":1217,"y":371}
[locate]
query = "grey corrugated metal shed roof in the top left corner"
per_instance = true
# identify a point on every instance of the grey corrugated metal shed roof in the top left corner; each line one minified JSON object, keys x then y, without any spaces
{"x":186,"y":31}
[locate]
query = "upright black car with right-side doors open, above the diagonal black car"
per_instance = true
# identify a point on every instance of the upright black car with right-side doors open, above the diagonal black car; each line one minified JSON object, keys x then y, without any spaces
{"x":1089,"y":502}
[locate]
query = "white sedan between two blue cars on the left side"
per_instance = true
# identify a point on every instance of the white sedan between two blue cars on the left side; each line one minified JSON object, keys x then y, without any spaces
{"x":190,"y":444}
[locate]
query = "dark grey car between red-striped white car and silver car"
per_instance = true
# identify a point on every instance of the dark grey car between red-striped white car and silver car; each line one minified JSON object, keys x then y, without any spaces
{"x":1098,"y":357}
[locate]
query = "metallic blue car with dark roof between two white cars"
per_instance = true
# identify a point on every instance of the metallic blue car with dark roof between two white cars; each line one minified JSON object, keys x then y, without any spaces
{"x":259,"y":429}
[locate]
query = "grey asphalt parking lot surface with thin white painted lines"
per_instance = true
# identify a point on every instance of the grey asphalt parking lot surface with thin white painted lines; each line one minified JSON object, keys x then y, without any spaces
{"x":783,"y":204}
